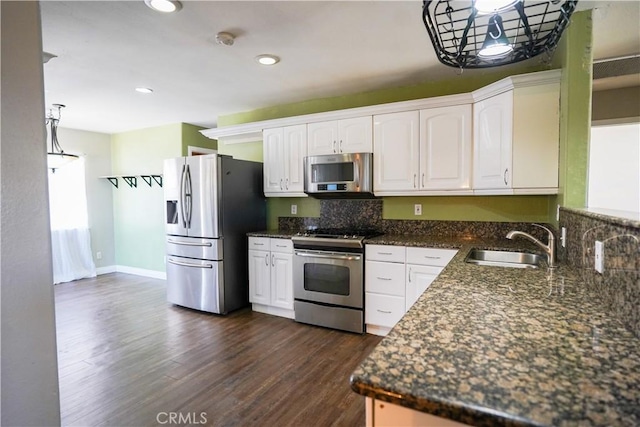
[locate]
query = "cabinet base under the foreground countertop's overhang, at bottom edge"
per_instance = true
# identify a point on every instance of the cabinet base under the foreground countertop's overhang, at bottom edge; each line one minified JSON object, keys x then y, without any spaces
{"x":384,"y":414}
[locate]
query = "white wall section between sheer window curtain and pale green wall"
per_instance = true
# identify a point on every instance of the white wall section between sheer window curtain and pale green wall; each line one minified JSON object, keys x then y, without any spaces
{"x":96,"y":148}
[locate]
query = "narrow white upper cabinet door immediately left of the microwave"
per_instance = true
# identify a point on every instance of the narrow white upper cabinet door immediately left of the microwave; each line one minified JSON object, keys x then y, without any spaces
{"x":295,"y":149}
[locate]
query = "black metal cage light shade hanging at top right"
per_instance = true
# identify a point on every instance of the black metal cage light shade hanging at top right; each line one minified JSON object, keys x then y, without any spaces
{"x":459,"y":30}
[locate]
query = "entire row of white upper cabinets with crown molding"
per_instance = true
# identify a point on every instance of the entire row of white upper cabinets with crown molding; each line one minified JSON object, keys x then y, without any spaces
{"x":500,"y":139}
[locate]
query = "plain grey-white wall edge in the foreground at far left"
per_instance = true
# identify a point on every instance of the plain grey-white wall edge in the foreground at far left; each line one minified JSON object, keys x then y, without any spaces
{"x":29,"y":384}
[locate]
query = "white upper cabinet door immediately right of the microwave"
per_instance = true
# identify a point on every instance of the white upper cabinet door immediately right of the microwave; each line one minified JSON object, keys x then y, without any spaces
{"x":395,"y":151}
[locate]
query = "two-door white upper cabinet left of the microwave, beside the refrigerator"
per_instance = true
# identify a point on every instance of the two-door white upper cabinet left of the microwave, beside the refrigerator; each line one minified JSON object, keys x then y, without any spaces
{"x":284,"y":152}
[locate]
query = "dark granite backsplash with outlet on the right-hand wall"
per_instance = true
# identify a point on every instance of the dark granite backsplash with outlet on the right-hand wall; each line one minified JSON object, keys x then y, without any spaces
{"x":618,"y":287}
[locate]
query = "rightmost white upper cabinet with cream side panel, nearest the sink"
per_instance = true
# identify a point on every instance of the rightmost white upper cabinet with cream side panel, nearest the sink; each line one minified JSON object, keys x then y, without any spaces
{"x":516,"y":134}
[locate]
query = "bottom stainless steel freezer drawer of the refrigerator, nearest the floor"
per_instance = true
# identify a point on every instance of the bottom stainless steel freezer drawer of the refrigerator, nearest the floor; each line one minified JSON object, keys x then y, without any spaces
{"x":196,"y":284}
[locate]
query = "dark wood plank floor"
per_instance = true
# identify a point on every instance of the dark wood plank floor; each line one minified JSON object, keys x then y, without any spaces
{"x":128,"y":358}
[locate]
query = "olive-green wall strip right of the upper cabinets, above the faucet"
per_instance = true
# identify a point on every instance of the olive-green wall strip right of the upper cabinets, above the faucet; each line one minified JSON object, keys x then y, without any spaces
{"x":575,"y":57}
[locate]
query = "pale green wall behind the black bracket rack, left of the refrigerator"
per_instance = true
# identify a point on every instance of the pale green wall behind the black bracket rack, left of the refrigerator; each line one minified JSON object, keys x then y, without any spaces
{"x":138,"y":214}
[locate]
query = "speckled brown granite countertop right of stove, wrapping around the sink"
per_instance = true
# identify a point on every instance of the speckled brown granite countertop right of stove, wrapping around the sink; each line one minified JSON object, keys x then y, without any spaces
{"x":501,"y":346}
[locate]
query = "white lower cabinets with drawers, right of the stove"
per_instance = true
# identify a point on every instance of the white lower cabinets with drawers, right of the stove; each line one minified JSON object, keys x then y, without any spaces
{"x":395,"y":277}
